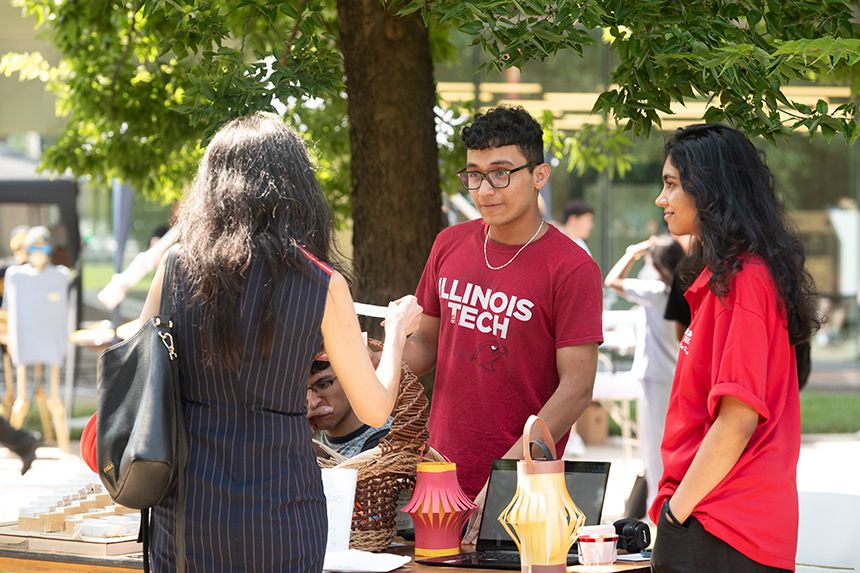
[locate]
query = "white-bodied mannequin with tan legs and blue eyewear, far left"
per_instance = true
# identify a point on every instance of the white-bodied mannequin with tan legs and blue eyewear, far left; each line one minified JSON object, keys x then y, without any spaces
{"x":37,"y":300}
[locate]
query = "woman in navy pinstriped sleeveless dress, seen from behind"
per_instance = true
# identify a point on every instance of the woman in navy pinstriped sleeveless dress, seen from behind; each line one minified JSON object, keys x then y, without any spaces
{"x":255,"y":295}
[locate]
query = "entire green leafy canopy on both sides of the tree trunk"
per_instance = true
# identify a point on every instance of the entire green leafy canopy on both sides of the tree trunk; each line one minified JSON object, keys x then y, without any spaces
{"x":145,"y":83}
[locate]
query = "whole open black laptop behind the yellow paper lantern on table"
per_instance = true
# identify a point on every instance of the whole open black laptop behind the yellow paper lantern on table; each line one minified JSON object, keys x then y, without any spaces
{"x":494,"y":549}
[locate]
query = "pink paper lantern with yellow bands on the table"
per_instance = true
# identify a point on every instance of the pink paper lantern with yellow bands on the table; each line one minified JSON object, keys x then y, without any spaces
{"x":439,"y":510}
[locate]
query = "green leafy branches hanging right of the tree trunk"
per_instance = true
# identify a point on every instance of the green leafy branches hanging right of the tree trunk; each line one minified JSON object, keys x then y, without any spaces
{"x":736,"y":54}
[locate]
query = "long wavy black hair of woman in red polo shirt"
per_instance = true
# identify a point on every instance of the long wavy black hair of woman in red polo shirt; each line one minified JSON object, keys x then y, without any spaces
{"x":738,"y":213}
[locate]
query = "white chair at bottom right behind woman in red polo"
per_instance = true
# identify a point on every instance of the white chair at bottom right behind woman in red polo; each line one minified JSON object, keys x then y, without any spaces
{"x":828,"y":536}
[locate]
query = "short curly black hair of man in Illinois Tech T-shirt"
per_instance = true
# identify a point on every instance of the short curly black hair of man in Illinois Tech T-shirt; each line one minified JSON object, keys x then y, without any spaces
{"x":506,"y":125}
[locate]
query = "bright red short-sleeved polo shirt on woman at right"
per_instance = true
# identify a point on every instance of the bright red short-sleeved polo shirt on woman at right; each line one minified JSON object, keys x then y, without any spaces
{"x":738,"y":346}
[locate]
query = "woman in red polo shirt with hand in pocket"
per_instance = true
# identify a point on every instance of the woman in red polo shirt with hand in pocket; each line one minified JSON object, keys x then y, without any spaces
{"x":728,"y":496}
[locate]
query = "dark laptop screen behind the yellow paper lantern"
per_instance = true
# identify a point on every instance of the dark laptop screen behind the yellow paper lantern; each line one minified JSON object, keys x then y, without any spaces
{"x":586,"y":483}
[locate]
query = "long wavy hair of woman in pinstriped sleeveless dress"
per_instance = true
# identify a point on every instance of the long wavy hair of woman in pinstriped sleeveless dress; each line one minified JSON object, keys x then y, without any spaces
{"x":255,"y":196}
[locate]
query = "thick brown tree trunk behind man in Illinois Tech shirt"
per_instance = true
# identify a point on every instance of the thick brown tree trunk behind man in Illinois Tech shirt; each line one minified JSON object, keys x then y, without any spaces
{"x":396,"y":203}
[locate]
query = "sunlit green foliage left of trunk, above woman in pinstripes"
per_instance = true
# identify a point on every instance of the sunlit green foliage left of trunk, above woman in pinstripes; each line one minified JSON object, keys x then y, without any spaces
{"x":145,"y":83}
